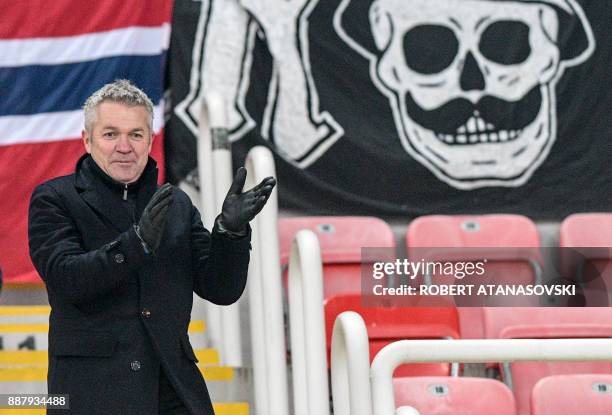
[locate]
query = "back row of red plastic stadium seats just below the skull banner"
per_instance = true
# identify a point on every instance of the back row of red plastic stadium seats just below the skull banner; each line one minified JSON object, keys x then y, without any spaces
{"x":512,"y":242}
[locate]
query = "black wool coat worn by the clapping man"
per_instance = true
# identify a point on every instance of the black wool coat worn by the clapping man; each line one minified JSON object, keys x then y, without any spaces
{"x":118,"y":314}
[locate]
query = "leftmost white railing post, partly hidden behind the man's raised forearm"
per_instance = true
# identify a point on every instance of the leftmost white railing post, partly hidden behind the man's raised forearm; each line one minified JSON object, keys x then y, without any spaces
{"x":215,"y":171}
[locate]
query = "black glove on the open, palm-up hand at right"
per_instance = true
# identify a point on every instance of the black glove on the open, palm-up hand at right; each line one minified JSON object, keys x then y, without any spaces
{"x":240,"y":208}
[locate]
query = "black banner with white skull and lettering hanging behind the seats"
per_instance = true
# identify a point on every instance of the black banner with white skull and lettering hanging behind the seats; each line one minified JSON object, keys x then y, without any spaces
{"x":406,"y":108}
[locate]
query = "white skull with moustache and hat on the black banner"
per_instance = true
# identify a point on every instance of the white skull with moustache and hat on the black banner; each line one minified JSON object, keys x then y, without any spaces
{"x":472,"y":82}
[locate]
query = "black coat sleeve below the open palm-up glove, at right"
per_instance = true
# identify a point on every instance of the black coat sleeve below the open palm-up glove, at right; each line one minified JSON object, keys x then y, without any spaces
{"x":220,"y":263}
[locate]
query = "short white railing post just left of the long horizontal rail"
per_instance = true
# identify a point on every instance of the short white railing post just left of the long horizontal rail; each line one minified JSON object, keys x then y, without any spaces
{"x":350,"y":366}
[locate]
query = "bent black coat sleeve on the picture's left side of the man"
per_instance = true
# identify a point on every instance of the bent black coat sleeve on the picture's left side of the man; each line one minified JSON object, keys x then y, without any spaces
{"x":57,"y":251}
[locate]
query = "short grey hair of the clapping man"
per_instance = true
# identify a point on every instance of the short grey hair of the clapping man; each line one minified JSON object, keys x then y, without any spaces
{"x":121,"y":91}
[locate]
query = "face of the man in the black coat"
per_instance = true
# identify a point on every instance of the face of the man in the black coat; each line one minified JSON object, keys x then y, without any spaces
{"x":120,"y":140}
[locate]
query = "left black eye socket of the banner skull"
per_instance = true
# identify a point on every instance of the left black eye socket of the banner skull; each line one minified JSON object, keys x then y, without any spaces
{"x":430,"y":49}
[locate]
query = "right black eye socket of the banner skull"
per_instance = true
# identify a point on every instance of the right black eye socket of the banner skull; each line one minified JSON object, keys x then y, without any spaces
{"x":506,"y":42}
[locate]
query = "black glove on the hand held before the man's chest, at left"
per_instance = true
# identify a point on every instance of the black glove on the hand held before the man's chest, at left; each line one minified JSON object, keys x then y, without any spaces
{"x":153,"y":220}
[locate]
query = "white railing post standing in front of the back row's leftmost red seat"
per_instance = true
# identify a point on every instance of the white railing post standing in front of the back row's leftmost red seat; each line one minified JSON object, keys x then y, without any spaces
{"x":307,"y":324}
